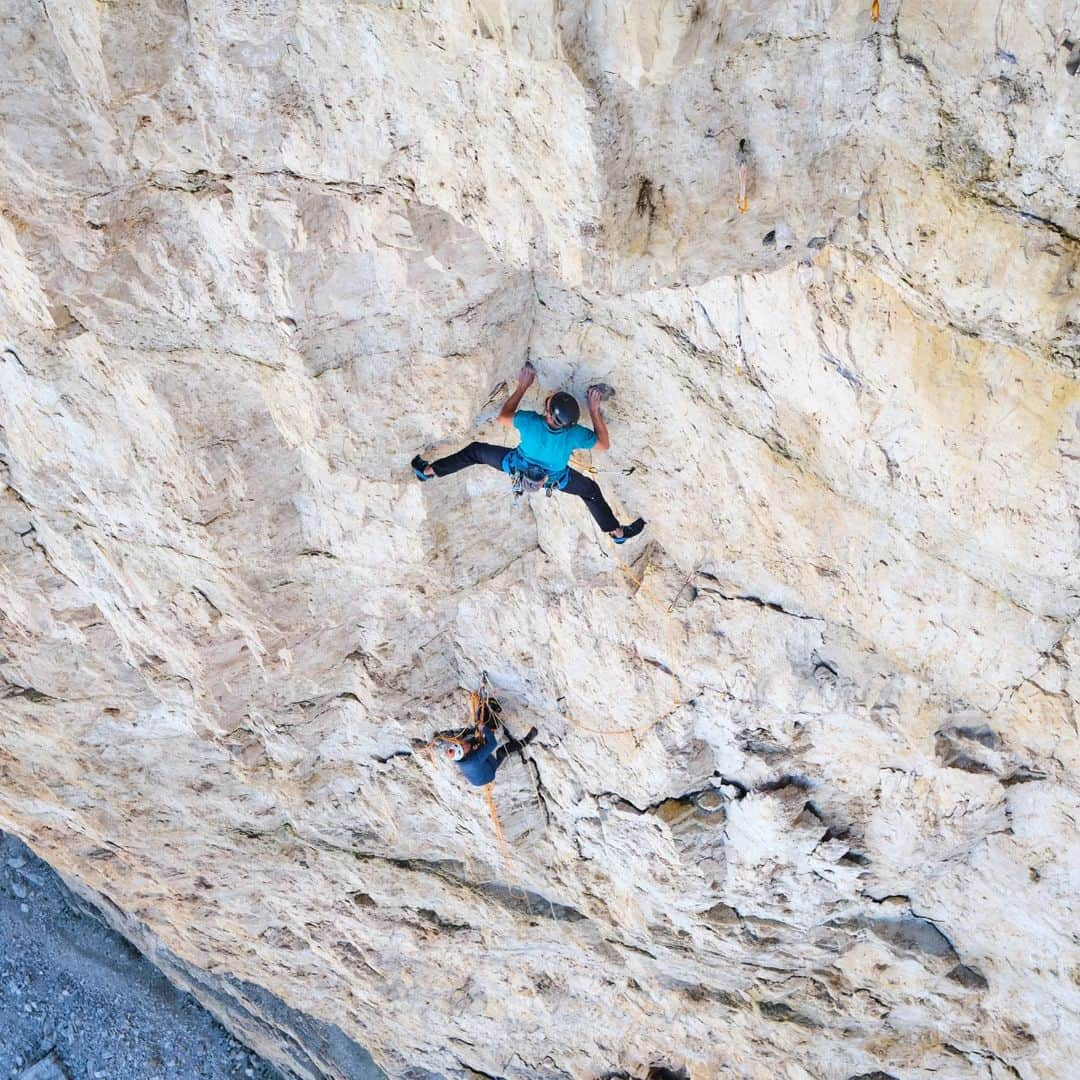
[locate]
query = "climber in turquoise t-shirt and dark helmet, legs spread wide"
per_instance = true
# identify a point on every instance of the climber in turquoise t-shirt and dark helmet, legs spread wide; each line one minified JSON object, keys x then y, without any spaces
{"x":542,"y":458}
